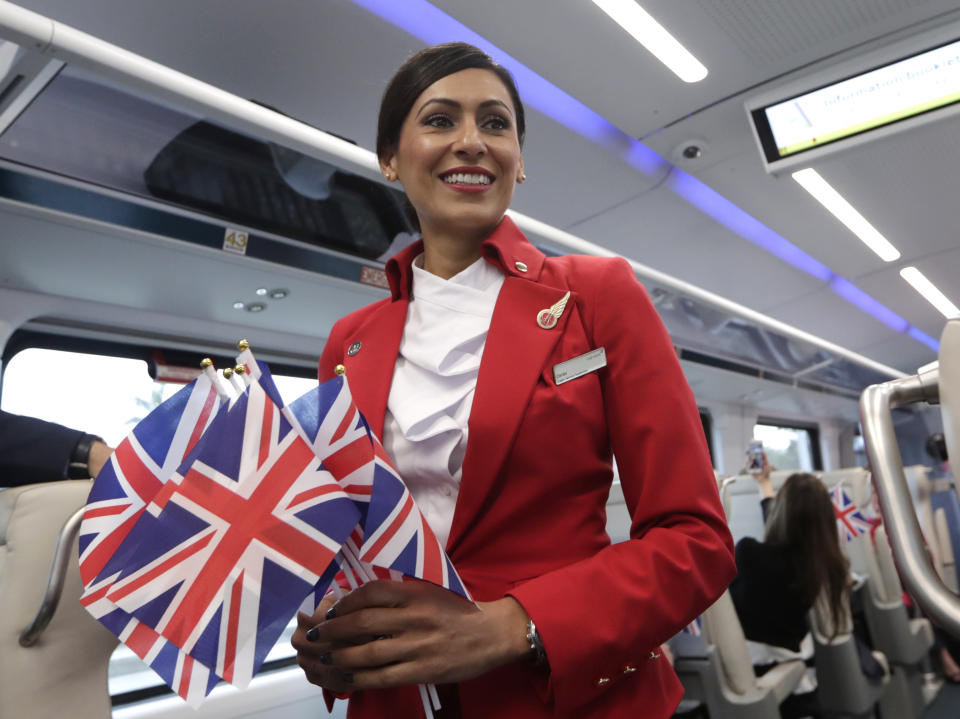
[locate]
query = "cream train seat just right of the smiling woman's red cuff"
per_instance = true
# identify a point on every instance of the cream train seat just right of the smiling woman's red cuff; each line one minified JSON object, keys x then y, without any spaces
{"x":722,"y":677}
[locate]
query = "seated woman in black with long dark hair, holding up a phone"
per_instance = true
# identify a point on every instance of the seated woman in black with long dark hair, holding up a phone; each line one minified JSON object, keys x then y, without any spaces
{"x":778,"y":580}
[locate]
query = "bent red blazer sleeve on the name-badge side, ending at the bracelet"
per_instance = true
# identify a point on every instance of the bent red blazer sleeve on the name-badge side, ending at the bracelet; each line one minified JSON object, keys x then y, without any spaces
{"x":611,"y":610}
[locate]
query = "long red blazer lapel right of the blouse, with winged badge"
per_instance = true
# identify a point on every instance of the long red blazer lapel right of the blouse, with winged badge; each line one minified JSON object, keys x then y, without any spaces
{"x":513,"y":358}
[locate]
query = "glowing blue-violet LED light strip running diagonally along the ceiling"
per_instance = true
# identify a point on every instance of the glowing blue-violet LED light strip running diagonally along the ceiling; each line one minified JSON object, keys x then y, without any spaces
{"x":432,"y":26}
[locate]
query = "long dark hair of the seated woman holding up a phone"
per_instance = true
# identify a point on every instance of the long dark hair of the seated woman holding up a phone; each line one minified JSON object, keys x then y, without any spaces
{"x":803,"y":523}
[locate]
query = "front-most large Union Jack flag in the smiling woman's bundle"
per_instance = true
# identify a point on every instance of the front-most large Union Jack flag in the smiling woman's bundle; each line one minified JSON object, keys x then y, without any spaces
{"x":222,"y":559}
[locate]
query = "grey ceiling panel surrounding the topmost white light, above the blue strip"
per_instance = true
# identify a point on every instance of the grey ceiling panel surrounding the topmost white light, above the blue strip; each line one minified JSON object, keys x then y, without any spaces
{"x":574,"y":43}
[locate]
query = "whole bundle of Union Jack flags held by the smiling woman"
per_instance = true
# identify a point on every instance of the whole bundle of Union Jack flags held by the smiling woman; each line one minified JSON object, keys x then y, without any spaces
{"x":223,"y":513}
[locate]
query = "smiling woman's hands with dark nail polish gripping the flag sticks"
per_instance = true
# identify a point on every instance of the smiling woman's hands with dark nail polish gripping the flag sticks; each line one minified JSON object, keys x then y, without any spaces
{"x":387,"y":634}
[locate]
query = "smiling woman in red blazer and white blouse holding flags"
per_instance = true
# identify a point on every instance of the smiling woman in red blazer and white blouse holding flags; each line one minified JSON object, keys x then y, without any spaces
{"x":507,"y":450}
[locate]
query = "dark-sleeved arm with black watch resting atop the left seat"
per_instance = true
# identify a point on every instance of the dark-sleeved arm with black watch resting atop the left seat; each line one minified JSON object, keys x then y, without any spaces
{"x":33,"y":451}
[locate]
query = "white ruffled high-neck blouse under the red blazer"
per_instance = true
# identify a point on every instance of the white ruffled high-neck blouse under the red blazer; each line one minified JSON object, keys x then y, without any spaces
{"x":425,"y":430}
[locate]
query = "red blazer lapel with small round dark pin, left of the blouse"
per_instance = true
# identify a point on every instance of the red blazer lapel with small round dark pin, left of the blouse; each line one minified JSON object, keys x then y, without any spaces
{"x":370,"y":369}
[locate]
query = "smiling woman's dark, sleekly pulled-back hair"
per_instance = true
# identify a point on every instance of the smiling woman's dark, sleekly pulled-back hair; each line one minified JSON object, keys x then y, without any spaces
{"x":420,"y":72}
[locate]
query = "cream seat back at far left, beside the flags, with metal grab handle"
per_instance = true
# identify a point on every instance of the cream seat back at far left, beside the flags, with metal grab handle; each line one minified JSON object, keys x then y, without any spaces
{"x":64,"y":673}
